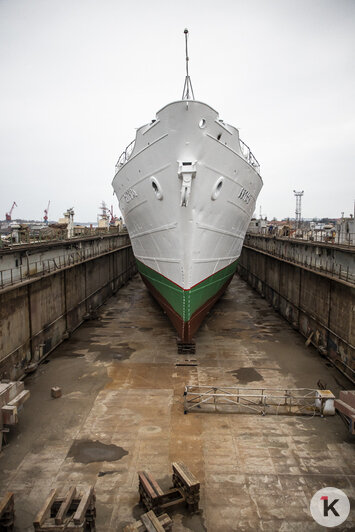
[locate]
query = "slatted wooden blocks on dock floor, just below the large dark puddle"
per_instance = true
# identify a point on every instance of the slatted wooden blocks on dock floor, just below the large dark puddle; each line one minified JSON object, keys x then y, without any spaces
{"x":73,"y":512}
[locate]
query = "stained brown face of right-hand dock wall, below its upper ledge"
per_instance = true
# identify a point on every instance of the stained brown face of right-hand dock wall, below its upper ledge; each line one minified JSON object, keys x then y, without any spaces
{"x":320,"y":306}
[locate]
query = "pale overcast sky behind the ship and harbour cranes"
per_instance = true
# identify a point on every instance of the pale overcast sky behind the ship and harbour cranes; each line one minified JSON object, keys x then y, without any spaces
{"x":78,"y":76}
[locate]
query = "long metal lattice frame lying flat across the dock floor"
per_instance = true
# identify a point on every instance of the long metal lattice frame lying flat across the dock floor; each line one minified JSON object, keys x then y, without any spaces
{"x":230,"y":399}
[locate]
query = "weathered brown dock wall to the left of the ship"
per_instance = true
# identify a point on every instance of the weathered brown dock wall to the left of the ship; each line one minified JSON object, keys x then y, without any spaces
{"x":37,"y":314}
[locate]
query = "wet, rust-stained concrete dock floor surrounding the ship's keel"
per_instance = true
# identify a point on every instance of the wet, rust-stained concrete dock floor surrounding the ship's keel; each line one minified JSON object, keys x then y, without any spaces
{"x":122,"y":410}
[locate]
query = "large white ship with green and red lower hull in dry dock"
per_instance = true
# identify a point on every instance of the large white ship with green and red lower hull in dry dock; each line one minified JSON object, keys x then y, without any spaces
{"x":187,"y":187}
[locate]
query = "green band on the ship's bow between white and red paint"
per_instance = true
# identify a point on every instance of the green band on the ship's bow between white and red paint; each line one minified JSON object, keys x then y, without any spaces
{"x":186,"y":302}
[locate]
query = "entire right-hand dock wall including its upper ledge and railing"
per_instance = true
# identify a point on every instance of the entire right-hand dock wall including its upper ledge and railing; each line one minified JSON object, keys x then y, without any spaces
{"x":318,"y":300}
